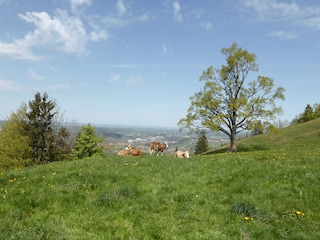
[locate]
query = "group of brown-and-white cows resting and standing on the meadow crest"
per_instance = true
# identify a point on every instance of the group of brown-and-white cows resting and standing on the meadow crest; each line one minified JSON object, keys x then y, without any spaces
{"x":155,"y":148}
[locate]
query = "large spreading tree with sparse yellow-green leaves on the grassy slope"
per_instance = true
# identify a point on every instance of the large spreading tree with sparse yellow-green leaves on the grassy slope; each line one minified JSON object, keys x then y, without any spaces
{"x":228,"y":102}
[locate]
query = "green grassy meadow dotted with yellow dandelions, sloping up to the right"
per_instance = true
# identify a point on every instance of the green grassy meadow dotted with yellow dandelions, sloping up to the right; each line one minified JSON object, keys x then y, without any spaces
{"x":270,"y":189}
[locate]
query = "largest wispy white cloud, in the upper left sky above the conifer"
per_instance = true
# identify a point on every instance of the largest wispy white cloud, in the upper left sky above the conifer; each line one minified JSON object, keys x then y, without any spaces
{"x":60,"y":32}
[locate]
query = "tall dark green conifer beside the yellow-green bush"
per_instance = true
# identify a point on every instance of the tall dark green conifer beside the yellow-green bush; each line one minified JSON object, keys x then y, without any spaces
{"x":39,"y":128}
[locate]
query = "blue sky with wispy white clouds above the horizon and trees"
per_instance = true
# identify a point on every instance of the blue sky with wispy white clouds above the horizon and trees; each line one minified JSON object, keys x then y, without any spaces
{"x":137,"y":62}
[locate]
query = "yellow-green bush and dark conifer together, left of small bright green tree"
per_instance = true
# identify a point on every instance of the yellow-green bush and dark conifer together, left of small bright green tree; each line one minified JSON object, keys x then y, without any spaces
{"x":32,"y":135}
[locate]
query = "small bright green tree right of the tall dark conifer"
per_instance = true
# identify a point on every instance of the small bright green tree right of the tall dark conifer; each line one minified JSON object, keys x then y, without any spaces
{"x":87,"y":144}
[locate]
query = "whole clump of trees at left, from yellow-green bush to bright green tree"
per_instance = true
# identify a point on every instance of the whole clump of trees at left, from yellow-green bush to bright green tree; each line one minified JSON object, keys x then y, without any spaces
{"x":35,"y":134}
